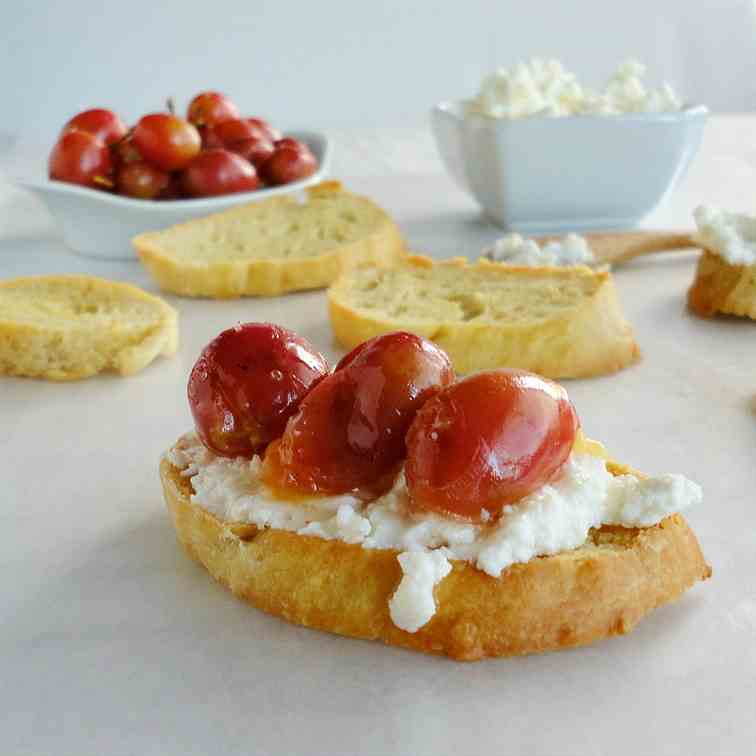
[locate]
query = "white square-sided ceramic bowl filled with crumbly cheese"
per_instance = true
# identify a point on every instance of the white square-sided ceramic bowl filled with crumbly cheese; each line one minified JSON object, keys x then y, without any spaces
{"x":578,"y":172}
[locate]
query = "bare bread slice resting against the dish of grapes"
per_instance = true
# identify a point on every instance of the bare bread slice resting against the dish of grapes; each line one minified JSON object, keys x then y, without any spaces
{"x":273,"y":246}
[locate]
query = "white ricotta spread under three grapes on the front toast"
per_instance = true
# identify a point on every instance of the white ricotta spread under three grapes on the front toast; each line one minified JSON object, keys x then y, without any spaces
{"x":555,"y":518}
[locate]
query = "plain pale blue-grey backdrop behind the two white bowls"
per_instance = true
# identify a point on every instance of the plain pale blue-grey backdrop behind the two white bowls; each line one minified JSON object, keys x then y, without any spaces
{"x":341,"y":63}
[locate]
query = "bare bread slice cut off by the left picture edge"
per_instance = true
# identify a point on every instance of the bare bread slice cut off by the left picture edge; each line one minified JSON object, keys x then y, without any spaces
{"x":68,"y":327}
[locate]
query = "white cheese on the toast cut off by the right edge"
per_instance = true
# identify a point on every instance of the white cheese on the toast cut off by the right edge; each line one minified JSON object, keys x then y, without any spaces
{"x":732,"y":236}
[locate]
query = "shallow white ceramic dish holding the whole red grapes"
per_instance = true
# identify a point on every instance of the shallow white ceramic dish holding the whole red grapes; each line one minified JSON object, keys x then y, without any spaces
{"x":99,"y":224}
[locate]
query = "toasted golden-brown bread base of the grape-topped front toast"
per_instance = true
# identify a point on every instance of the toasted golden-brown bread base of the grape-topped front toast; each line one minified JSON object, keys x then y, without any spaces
{"x":570,"y":599}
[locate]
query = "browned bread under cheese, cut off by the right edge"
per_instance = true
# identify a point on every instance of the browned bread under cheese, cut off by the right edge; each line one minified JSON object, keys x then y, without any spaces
{"x":721,"y":287}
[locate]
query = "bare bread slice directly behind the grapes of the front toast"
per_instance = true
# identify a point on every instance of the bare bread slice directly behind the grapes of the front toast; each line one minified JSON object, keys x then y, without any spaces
{"x":559,"y":322}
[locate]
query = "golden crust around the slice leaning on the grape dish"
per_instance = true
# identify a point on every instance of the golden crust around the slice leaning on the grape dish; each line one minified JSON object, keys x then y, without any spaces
{"x":229,"y":277}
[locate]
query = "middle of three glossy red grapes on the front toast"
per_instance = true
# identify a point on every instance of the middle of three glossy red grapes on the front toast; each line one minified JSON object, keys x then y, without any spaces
{"x":349,"y":431}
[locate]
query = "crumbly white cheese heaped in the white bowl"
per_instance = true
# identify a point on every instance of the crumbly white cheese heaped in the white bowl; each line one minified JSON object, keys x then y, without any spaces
{"x":546,"y":88}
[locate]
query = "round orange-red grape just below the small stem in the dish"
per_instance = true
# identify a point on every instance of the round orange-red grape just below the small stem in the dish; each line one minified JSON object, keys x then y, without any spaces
{"x":166,"y":141}
